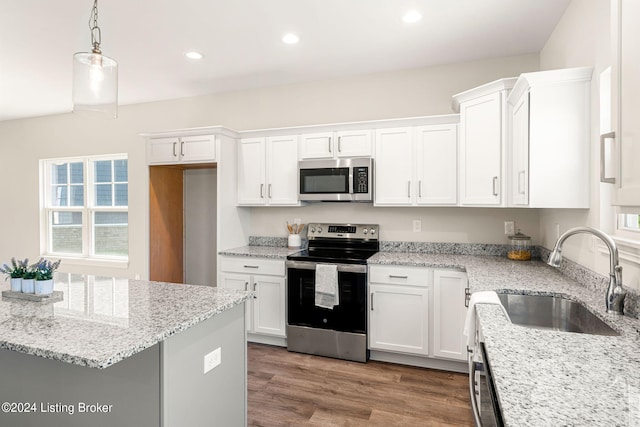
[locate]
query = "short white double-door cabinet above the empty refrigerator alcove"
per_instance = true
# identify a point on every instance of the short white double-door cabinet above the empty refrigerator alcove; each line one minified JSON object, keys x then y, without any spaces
{"x":185,"y":149}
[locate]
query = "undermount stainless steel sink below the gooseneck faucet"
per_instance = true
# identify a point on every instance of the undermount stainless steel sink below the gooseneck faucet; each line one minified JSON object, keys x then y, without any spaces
{"x":556,"y":313}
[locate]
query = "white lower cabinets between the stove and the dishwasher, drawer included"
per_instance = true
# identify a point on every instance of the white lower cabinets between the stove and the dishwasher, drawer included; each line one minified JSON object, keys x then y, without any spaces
{"x":417,"y":311}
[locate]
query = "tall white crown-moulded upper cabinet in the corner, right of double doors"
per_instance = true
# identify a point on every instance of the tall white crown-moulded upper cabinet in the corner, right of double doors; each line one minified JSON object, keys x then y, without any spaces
{"x":483,"y":124}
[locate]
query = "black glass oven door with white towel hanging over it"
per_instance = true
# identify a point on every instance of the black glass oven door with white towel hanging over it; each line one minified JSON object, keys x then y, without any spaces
{"x":349,"y":316}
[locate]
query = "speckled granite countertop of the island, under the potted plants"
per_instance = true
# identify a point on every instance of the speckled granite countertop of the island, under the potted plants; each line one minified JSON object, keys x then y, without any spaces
{"x":103,"y":321}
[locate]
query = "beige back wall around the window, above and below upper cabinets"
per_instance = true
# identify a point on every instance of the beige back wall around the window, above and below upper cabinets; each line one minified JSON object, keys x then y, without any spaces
{"x":416,"y":92}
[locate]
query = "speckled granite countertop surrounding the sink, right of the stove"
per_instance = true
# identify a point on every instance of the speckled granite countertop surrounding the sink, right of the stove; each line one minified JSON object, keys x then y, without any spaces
{"x":545,"y":377}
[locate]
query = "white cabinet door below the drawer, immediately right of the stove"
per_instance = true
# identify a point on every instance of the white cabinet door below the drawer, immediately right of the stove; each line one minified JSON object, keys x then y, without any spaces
{"x":398,"y":318}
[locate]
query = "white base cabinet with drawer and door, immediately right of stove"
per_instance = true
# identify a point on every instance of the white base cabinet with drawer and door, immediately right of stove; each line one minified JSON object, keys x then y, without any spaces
{"x":399,"y":309}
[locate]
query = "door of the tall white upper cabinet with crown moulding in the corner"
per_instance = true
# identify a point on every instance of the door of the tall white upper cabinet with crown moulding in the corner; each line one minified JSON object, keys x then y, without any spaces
{"x":481,"y":150}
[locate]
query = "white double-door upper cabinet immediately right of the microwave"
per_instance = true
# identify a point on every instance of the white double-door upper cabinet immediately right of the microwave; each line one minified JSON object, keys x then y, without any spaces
{"x":416,"y":165}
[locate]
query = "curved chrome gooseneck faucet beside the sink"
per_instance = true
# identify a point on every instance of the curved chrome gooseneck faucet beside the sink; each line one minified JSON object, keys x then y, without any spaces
{"x":615,"y":292}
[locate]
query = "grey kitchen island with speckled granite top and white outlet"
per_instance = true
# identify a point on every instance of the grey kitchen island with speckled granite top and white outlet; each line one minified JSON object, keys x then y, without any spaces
{"x":118,"y":352}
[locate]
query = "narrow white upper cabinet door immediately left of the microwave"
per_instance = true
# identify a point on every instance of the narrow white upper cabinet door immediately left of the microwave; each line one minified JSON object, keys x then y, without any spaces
{"x":282,"y":170}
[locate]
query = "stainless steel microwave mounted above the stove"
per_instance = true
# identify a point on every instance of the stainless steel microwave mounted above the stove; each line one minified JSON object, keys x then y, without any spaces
{"x":336,"y":180}
